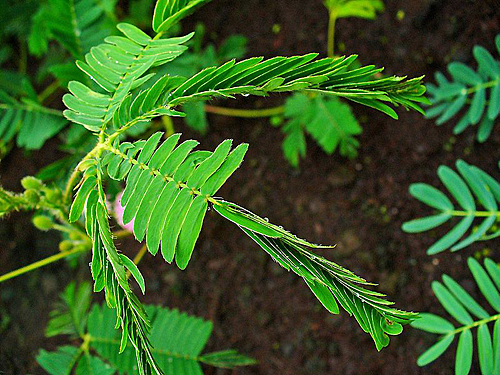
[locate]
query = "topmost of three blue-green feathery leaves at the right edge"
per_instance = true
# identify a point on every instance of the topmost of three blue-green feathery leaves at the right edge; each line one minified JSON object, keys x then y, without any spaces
{"x":478,"y":91}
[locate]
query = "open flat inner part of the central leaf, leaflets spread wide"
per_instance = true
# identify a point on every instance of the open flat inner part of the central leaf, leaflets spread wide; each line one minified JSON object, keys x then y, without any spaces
{"x":168,"y":188}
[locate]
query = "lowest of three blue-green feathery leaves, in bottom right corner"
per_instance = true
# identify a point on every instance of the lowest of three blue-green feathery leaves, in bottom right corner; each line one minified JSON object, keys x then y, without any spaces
{"x":470,"y":315}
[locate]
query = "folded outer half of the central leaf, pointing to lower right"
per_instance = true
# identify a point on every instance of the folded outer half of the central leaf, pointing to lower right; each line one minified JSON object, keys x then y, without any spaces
{"x":329,"y":282}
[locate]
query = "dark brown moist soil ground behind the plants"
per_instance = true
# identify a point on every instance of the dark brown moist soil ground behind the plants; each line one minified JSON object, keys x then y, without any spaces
{"x":257,"y":307}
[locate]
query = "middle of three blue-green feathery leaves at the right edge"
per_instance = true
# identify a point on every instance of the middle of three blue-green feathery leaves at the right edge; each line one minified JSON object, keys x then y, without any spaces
{"x":485,"y":191}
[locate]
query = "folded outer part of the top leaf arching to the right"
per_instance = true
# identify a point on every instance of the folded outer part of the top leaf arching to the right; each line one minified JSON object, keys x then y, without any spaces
{"x":256,"y":76}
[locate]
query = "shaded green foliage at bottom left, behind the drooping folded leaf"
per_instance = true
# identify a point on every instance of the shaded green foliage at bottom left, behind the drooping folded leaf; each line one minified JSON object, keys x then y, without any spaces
{"x":177,"y":341}
